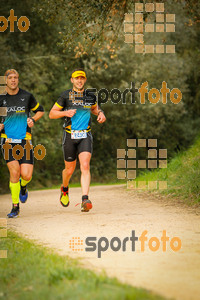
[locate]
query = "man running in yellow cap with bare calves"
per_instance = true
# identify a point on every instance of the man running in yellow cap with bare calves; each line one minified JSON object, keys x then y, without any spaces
{"x":76,"y":105}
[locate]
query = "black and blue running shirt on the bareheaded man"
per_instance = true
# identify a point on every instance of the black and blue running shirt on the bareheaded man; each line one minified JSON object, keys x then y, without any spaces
{"x":18,"y":110}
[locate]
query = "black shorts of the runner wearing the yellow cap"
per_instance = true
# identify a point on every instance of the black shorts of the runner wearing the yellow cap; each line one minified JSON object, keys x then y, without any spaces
{"x":73,"y":147}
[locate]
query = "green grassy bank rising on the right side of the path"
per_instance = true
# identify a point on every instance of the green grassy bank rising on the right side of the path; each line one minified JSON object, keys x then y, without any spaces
{"x":182,"y":175}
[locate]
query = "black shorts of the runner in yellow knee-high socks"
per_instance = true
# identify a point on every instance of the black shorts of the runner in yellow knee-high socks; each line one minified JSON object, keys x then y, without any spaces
{"x":18,"y":151}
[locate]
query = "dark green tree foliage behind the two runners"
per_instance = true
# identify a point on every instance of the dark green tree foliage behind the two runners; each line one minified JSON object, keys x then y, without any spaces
{"x":64,"y":35}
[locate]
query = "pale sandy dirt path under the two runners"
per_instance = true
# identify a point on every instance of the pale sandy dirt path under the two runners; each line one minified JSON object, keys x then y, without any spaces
{"x":117,"y":212}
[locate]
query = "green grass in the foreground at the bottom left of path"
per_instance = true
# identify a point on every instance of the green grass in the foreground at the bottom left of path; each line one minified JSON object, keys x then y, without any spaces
{"x":32,"y":272}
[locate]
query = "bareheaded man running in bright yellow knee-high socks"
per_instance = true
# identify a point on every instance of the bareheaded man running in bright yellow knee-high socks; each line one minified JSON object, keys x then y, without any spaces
{"x":16,"y":132}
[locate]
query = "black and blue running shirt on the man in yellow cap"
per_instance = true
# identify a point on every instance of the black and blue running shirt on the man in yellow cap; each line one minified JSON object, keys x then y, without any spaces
{"x":82,"y":102}
